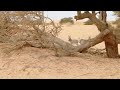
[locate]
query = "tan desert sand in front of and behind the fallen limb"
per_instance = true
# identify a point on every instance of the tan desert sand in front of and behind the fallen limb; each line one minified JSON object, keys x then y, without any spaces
{"x":36,"y":63}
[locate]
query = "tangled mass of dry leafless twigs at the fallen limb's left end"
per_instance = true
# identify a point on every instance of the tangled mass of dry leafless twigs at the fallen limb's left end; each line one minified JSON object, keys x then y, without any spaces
{"x":18,"y":28}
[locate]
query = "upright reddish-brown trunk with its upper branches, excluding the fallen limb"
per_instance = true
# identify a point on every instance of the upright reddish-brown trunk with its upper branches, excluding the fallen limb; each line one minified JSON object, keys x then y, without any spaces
{"x":101,"y":23}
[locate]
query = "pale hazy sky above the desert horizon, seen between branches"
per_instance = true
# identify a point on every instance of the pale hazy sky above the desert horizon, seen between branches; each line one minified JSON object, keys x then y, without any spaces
{"x":61,"y":14}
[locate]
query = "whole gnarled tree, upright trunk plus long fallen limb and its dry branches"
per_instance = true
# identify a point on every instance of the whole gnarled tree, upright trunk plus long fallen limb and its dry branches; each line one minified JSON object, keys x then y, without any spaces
{"x":42,"y":37}
